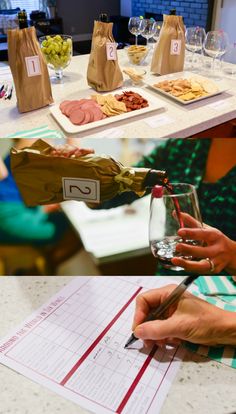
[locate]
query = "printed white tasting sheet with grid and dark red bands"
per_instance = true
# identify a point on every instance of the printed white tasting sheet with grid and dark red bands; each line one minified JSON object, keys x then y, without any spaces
{"x":56,"y":345}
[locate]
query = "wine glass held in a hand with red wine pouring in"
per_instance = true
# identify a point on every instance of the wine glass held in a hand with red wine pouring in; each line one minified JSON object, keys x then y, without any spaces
{"x":168,"y":213}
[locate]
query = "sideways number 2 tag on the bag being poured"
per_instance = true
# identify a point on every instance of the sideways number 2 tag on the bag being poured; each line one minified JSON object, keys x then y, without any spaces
{"x":81,"y":189}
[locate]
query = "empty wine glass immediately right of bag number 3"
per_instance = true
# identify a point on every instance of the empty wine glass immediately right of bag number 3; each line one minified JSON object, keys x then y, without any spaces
{"x":194,"y":40}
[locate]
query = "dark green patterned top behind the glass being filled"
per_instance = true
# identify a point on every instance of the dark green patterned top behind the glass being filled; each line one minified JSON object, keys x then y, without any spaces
{"x":185,"y":161}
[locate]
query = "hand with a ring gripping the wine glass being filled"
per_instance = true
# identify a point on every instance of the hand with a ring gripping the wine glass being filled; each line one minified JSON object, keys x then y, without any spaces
{"x":217,"y":252}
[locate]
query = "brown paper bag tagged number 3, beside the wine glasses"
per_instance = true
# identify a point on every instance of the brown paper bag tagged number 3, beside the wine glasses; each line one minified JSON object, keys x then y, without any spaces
{"x":169,"y":53}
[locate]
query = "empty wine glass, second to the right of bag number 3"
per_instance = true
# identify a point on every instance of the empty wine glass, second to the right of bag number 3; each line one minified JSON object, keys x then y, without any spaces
{"x":216,"y":45}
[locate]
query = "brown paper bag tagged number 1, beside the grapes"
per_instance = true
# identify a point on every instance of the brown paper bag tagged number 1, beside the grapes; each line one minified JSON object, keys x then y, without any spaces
{"x":29,"y":70}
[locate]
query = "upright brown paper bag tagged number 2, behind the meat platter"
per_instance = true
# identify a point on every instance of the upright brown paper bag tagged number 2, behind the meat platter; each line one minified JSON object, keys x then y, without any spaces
{"x":103,"y":74}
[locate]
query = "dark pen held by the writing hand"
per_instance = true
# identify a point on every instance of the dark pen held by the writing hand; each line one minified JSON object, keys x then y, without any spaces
{"x":158,"y":312}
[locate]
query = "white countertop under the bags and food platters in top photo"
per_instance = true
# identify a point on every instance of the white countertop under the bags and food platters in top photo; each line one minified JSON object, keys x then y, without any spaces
{"x":179,"y":120}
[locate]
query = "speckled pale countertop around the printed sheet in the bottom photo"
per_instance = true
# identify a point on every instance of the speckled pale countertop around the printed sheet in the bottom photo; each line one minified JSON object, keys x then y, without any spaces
{"x":201,"y":386}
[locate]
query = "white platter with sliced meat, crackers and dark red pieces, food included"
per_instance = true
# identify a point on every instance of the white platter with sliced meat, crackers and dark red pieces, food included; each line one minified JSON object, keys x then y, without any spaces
{"x":97,"y":110}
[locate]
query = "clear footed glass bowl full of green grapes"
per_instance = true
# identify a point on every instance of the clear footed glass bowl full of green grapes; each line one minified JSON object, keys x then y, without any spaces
{"x":57,"y":50}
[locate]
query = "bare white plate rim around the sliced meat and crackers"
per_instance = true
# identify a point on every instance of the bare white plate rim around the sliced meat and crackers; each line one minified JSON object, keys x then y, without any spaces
{"x":66,"y":124}
